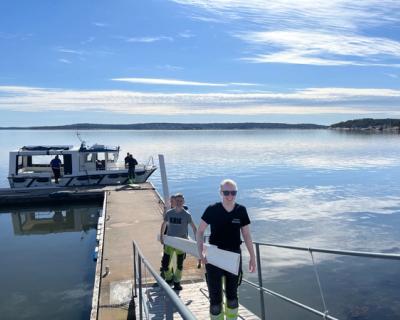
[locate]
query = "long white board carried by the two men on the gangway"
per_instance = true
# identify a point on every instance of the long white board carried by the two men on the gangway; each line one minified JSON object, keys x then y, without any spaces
{"x":223,"y":259}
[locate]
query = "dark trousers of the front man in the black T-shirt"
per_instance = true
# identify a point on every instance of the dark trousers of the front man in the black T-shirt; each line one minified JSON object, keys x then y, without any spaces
{"x":214,"y":276}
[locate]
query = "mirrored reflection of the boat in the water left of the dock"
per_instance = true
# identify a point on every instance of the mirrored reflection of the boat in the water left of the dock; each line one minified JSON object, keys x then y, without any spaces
{"x":73,"y":219}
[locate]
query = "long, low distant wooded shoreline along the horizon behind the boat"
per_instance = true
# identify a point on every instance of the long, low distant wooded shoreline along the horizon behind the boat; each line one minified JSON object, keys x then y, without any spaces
{"x":172,"y":126}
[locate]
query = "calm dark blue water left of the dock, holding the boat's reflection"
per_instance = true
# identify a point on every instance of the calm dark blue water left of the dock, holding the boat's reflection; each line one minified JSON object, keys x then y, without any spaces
{"x":47,"y":261}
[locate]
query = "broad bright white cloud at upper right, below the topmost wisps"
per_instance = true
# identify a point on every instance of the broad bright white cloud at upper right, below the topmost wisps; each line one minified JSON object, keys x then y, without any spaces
{"x":310,"y":47}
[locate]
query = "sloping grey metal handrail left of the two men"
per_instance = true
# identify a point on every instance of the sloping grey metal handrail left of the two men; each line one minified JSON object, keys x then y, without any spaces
{"x":170,"y":295}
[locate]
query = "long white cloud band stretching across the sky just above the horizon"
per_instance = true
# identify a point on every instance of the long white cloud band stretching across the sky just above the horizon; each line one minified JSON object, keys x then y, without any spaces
{"x":313,"y":101}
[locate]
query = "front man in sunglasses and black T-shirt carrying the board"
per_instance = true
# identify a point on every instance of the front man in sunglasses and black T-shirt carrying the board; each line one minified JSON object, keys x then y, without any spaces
{"x":227,"y":220}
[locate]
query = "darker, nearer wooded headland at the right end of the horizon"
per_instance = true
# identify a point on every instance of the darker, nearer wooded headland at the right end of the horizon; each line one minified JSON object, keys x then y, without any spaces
{"x":369,"y":124}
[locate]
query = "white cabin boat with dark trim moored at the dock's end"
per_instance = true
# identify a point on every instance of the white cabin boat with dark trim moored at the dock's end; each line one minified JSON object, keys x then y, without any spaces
{"x":29,"y":167}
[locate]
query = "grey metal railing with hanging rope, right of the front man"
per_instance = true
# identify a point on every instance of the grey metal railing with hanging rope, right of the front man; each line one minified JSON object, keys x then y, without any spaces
{"x":323,"y":314}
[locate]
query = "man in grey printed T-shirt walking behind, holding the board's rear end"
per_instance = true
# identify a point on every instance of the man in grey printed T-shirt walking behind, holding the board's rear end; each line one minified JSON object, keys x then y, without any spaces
{"x":177,"y":220}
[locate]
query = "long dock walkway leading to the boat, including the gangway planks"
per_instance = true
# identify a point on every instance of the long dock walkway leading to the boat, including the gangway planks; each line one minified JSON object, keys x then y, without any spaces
{"x":135,"y":213}
